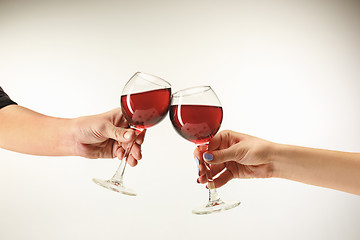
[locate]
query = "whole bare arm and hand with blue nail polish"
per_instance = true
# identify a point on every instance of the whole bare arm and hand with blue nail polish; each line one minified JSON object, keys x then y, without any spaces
{"x":235,"y":155}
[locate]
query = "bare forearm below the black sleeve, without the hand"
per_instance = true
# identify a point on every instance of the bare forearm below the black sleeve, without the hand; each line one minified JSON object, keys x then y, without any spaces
{"x":23,"y":130}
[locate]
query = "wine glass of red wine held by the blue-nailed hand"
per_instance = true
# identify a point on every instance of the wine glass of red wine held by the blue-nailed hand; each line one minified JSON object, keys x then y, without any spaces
{"x":196,"y":114}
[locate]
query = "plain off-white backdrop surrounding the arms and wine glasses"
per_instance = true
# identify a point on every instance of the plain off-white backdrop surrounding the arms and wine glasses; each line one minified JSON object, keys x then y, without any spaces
{"x":286,"y":71}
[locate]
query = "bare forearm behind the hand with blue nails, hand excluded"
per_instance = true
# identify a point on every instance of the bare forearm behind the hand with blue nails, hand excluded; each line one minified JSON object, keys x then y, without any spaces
{"x":332,"y":169}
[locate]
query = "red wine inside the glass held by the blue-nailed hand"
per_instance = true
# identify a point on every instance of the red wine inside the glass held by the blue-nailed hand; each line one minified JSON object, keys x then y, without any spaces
{"x":196,"y":123}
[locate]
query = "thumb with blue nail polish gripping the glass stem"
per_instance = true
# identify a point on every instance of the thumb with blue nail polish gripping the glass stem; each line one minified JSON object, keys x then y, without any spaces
{"x":221,"y":156}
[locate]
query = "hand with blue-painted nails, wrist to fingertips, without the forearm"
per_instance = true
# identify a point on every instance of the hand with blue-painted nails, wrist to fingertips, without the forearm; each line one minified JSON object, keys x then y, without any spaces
{"x":234,"y":155}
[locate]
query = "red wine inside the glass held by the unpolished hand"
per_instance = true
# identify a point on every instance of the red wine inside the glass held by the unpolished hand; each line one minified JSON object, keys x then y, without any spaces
{"x":146,"y":109}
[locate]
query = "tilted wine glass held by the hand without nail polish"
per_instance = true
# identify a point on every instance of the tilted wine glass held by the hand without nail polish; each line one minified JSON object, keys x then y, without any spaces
{"x":145,"y":101}
